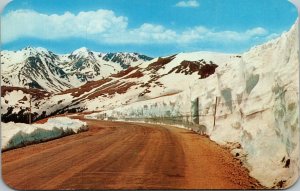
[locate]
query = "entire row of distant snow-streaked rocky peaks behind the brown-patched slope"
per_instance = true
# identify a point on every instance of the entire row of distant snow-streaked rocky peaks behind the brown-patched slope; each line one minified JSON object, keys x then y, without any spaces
{"x":43,"y":69}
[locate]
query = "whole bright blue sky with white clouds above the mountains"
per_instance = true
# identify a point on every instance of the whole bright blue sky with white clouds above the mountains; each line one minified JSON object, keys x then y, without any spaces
{"x":152,"y":27}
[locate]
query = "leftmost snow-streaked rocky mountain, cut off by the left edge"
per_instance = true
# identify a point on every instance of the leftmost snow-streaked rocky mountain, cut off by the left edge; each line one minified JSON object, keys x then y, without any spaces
{"x":36,"y":68}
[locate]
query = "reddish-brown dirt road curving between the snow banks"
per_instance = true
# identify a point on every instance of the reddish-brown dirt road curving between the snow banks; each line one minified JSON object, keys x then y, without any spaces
{"x":125,"y":155}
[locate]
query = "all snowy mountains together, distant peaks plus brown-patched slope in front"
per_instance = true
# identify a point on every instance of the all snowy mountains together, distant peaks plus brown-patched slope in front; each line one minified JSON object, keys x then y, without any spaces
{"x":93,"y":81}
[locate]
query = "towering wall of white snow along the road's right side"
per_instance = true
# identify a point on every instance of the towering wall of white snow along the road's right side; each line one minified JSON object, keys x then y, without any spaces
{"x":257,"y":109}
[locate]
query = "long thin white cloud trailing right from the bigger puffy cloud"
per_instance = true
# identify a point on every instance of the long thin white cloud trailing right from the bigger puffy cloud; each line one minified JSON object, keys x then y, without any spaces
{"x":151,"y":34}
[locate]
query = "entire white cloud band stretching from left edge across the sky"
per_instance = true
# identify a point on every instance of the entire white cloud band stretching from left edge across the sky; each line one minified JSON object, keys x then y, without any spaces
{"x":103,"y":26}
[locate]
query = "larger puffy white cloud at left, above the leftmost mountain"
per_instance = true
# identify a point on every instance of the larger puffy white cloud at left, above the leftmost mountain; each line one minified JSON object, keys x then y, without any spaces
{"x":28,"y":23}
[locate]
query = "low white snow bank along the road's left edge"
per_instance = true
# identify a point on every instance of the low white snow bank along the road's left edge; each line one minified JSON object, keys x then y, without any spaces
{"x":16,"y":135}
